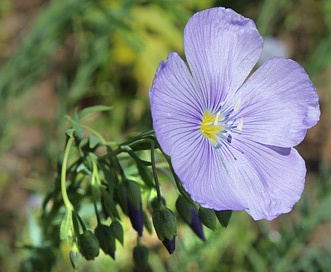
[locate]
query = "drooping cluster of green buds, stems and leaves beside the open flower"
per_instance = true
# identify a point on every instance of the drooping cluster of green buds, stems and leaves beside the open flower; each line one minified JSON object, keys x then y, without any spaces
{"x":114,"y":195}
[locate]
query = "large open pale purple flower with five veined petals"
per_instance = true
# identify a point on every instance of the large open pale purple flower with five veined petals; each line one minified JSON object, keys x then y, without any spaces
{"x":230,"y":140}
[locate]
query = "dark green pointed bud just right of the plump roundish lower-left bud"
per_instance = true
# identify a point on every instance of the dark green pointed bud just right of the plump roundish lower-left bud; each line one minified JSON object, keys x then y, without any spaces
{"x":106,"y":239}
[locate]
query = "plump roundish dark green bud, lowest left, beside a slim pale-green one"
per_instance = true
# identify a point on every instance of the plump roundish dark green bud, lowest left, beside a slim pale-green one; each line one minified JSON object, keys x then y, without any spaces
{"x":88,"y":245}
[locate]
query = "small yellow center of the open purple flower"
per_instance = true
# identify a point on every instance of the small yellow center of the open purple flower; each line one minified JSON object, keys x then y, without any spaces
{"x":210,"y":126}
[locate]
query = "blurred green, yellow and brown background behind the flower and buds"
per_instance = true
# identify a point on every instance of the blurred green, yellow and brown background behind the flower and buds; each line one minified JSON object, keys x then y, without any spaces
{"x":58,"y":56}
